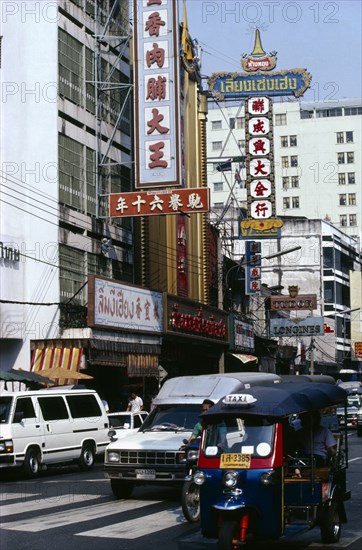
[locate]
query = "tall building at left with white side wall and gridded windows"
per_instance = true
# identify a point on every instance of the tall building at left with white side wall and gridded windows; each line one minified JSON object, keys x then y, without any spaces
{"x":65,"y":144}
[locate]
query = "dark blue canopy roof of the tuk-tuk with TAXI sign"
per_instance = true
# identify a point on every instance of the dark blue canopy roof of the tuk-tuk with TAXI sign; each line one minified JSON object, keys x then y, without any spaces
{"x":282,"y":400}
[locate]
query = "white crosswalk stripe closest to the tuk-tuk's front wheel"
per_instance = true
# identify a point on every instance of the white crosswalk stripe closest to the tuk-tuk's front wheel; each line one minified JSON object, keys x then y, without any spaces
{"x":139,"y":527}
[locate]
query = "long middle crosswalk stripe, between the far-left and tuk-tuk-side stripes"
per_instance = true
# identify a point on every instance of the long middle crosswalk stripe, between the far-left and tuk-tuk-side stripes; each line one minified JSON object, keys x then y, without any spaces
{"x":85,"y":513}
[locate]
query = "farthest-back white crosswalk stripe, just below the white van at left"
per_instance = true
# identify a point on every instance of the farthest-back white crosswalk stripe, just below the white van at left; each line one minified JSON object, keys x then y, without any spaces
{"x":44,"y":503}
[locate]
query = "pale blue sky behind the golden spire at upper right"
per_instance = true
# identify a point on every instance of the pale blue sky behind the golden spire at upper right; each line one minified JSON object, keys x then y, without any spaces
{"x":321,"y":36}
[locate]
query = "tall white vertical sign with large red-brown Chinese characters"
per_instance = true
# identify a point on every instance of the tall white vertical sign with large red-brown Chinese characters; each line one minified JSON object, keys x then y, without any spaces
{"x":156,"y":79}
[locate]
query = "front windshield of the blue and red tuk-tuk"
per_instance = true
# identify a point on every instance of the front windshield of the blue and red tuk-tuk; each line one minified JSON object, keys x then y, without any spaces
{"x":236,"y":434}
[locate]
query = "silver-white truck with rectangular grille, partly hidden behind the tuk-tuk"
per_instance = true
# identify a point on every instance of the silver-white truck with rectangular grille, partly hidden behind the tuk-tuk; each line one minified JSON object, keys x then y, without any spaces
{"x":153,"y":454}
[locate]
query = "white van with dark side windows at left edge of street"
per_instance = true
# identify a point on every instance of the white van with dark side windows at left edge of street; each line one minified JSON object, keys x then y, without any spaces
{"x":51,"y":426}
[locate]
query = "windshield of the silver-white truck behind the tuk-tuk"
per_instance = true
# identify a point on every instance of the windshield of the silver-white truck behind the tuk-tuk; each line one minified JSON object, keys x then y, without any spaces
{"x":173,"y":418}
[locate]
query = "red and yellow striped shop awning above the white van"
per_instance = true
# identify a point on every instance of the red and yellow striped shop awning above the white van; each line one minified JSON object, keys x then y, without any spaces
{"x":66,"y":359}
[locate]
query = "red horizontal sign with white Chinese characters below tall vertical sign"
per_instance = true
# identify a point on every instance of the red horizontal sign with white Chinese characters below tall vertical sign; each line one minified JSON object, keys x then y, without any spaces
{"x":165,"y":201}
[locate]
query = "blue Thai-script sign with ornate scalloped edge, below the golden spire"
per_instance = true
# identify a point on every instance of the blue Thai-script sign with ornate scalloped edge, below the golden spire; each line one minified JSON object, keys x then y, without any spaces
{"x":238,"y":85}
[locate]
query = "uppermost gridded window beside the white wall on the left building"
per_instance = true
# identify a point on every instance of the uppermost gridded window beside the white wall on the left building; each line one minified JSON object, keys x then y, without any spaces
{"x":70,"y":67}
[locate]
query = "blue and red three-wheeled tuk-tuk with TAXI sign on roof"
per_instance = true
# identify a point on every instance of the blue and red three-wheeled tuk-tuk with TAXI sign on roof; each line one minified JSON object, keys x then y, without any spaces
{"x":253,"y":484}
